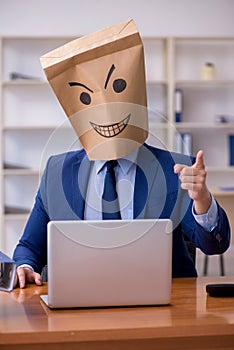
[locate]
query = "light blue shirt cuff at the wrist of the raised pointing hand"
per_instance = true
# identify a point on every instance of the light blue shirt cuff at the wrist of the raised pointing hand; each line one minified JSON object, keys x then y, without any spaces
{"x":208,"y":220}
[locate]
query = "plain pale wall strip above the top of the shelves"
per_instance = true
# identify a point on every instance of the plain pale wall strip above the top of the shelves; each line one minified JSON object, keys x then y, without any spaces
{"x":153,"y":17}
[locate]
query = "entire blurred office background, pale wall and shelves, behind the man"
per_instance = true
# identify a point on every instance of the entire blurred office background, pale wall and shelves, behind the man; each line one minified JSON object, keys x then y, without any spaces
{"x":189,"y":54}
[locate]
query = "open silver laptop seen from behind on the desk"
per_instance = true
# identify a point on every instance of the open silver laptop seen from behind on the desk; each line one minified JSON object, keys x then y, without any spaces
{"x":109,"y":263}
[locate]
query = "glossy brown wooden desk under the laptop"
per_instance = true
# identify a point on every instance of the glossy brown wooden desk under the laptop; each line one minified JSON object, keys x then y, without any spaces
{"x":192,"y":321}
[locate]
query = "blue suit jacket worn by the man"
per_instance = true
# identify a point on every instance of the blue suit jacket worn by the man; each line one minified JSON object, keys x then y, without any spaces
{"x":157,"y":194}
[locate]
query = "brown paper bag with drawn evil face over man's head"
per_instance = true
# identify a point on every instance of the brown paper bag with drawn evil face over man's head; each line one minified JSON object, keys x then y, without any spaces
{"x":99,"y":79}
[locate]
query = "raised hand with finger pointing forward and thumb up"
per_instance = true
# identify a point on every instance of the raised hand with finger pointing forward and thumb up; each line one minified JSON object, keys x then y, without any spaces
{"x":193,"y":179}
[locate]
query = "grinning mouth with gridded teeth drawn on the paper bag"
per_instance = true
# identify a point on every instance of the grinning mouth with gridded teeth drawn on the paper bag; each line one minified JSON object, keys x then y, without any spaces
{"x":111,"y":130}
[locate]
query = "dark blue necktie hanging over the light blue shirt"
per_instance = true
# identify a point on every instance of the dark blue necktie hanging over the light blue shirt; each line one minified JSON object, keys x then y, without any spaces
{"x":110,"y":203}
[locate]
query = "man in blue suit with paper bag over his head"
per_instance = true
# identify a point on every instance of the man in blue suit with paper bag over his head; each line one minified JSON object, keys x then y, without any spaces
{"x":100,"y":82}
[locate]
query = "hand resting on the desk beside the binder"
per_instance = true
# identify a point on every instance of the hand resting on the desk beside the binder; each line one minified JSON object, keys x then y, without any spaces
{"x":24,"y":275}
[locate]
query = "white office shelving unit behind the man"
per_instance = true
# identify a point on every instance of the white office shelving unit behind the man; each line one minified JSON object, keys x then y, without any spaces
{"x":33,"y":125}
